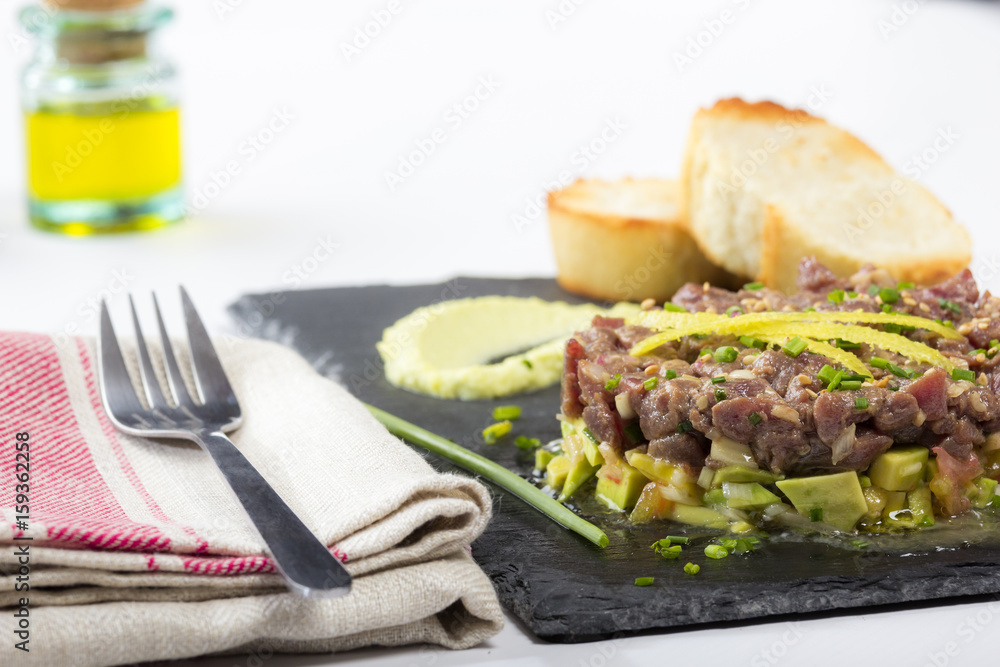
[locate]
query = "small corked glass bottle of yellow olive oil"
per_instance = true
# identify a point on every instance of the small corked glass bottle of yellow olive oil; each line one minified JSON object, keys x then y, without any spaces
{"x":101,"y":115}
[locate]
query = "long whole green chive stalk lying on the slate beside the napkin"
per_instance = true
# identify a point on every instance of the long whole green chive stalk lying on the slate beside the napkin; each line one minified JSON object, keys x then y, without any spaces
{"x":494,"y":472}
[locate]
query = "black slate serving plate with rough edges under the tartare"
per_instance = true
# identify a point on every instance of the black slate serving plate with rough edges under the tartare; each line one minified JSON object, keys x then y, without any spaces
{"x":560,"y":585}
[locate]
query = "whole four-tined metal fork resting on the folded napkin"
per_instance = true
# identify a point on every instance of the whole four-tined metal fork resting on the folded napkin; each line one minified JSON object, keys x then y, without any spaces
{"x":309,"y":568}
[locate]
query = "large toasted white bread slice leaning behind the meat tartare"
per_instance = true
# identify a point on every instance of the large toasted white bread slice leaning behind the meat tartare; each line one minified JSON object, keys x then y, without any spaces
{"x":764,"y":186}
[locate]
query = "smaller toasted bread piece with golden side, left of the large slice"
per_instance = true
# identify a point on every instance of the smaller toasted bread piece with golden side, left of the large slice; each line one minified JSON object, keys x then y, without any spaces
{"x":624,"y":241}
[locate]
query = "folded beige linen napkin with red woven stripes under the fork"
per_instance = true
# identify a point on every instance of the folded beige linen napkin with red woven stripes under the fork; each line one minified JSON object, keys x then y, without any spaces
{"x":139,"y":550}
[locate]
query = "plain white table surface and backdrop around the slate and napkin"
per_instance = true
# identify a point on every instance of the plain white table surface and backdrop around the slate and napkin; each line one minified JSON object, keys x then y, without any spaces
{"x":895,"y":73}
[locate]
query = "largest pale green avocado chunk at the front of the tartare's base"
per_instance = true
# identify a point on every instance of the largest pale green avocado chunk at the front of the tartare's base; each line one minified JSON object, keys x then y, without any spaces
{"x":838,"y":495}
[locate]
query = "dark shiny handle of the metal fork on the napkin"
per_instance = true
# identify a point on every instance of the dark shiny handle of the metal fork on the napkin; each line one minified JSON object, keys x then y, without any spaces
{"x":305,"y":562}
